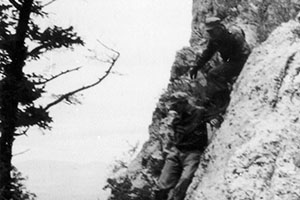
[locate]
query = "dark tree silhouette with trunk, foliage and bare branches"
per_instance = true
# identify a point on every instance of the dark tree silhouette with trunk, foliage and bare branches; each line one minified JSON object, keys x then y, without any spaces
{"x":23,"y":40}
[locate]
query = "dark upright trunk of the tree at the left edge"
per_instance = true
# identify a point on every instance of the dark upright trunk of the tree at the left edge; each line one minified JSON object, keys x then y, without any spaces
{"x":10,"y":100}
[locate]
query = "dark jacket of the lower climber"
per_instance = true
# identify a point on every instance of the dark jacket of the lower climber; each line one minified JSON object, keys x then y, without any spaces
{"x":190,"y":132}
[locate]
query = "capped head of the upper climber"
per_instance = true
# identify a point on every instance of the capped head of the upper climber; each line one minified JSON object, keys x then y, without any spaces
{"x":214,"y":28}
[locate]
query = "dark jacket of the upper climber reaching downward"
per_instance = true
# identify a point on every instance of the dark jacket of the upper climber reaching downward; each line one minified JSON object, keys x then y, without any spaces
{"x":232,"y":47}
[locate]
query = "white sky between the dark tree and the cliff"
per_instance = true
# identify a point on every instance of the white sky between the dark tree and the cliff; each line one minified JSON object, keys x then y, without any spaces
{"x":147,"y":33}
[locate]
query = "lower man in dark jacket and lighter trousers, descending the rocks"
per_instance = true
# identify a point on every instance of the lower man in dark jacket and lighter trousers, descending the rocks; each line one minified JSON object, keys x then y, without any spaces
{"x":189,"y":141}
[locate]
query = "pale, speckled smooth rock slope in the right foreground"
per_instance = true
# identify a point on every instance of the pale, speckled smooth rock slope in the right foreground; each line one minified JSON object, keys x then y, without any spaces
{"x":253,"y":154}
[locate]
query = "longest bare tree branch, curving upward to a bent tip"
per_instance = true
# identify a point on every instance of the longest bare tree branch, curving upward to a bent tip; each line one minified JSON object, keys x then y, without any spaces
{"x":69,"y":94}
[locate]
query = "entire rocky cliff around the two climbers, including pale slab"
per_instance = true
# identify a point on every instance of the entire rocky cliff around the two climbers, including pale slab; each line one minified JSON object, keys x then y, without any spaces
{"x":254,"y":153}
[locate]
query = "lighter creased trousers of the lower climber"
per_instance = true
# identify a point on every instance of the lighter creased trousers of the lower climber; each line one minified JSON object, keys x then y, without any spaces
{"x":178,"y":172}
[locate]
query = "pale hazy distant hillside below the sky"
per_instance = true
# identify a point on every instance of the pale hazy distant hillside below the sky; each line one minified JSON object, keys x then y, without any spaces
{"x":53,"y":180}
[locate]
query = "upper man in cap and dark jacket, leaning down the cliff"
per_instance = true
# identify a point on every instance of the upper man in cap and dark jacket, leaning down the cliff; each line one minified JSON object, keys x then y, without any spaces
{"x":234,"y":51}
